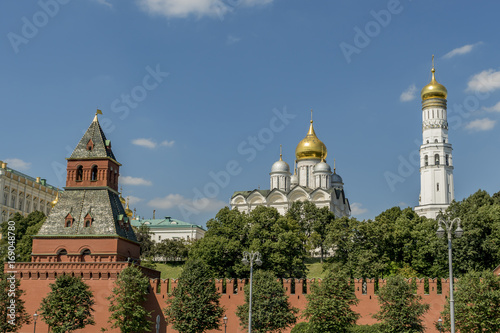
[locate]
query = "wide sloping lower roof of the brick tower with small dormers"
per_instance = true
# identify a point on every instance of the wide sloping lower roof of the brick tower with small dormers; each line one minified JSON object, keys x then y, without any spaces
{"x":102,"y":204}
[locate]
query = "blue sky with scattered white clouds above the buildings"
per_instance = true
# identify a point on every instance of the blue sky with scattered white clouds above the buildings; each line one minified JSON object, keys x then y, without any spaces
{"x":198,"y":95}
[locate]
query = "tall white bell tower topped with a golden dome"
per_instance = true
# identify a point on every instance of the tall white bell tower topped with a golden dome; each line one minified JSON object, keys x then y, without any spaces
{"x":436,"y":164}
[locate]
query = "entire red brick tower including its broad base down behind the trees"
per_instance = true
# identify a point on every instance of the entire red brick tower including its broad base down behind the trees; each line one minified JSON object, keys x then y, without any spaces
{"x":87,"y":233}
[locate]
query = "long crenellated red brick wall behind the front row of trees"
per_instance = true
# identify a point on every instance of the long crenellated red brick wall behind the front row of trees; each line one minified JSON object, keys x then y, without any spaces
{"x":37,"y":289}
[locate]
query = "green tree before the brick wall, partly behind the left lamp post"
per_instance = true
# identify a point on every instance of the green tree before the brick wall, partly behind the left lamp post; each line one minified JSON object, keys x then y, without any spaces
{"x":271,"y":311}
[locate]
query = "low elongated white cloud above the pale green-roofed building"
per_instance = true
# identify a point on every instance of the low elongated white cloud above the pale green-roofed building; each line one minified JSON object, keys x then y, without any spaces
{"x":186,"y":204}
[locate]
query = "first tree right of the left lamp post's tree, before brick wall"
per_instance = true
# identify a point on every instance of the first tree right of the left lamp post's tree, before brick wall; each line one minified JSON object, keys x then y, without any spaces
{"x":329,"y":305}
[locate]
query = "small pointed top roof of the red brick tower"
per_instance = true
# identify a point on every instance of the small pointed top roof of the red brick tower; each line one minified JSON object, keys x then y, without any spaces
{"x":102,"y":146}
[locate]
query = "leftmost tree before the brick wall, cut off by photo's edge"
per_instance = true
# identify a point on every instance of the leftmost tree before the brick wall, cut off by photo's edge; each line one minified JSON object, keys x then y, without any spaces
{"x":12,"y":315}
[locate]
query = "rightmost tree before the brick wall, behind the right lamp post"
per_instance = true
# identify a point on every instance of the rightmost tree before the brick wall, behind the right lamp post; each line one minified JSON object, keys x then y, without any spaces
{"x":477,"y":303}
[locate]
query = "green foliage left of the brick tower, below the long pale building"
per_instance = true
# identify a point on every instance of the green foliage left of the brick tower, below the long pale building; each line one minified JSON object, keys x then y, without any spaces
{"x":25,"y":228}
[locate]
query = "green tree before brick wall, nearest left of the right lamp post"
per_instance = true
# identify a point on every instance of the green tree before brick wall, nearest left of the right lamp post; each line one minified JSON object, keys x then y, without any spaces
{"x":400,"y":310}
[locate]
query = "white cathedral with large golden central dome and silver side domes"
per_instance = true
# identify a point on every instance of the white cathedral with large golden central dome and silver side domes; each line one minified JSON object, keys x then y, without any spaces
{"x":312,"y":180}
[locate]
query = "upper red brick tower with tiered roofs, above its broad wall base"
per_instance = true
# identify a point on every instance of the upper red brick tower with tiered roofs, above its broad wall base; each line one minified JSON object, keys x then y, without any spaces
{"x":88,"y":223}
